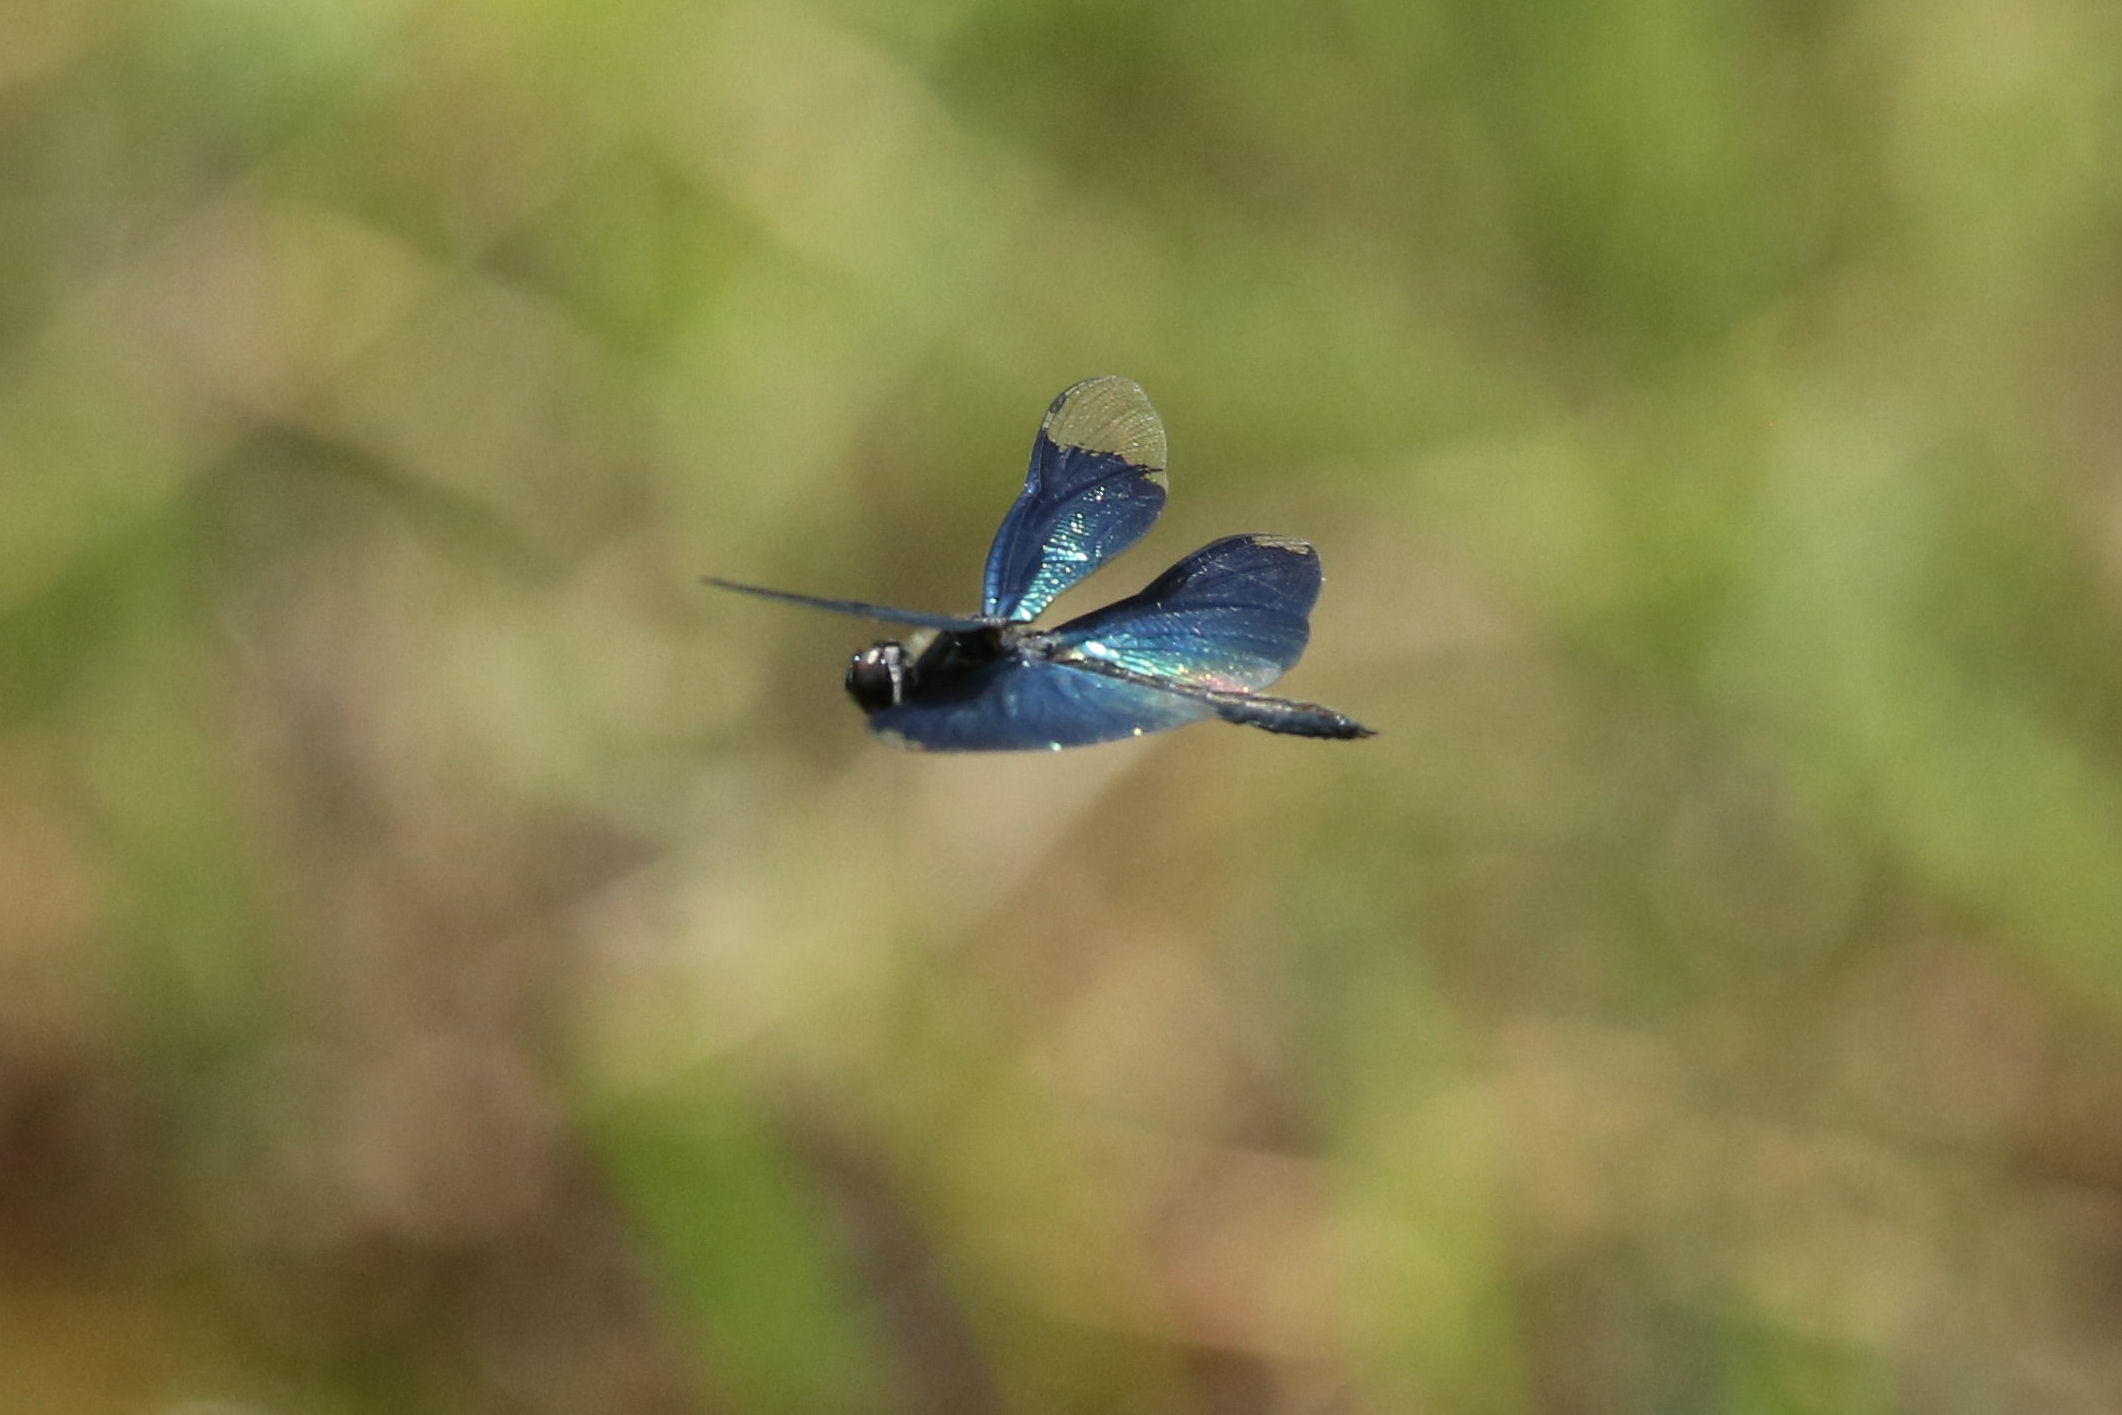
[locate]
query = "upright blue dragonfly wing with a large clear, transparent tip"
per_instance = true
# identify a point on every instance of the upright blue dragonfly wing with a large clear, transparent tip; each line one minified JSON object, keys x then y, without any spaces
{"x":1094,"y":489}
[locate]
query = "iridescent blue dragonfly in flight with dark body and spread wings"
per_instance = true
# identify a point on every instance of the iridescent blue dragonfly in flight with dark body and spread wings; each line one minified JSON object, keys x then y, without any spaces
{"x":1196,"y":644}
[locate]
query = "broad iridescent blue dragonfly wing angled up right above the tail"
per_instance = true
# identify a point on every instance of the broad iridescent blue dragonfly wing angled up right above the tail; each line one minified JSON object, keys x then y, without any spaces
{"x":1232,"y":616}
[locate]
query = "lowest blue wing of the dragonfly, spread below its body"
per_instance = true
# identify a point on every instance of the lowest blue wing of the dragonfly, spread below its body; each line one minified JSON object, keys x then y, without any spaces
{"x":1032,"y":705}
